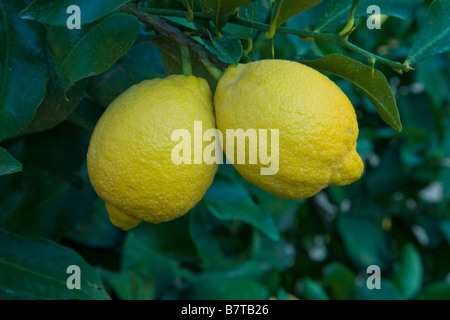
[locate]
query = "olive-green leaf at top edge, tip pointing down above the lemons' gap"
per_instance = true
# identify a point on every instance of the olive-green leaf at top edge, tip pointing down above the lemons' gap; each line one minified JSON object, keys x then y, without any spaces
{"x":219,"y":11}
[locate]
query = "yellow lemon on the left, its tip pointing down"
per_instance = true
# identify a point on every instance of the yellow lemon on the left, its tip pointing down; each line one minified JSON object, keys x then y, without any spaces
{"x":129,"y":157}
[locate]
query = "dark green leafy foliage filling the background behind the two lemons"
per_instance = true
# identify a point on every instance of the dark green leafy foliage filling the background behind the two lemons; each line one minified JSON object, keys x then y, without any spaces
{"x":239,"y":242}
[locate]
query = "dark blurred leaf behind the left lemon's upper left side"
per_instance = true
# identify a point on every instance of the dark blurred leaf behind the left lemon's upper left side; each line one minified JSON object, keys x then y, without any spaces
{"x":141,"y":62}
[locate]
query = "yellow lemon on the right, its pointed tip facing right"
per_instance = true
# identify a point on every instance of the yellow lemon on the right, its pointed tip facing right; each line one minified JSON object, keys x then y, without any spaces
{"x":316,"y":122}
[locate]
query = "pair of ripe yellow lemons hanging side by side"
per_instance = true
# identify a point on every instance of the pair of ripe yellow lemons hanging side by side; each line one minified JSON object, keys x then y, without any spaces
{"x":130,"y":161}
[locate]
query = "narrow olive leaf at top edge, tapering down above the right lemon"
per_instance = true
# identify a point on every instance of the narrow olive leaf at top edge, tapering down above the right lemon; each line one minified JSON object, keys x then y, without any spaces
{"x":283,"y":10}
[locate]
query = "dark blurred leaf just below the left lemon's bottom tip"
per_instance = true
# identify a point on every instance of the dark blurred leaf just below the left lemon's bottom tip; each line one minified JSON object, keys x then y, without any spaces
{"x":96,"y":230}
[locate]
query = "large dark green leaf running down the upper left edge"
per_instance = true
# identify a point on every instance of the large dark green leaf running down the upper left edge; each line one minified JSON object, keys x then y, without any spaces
{"x":23,"y":68}
